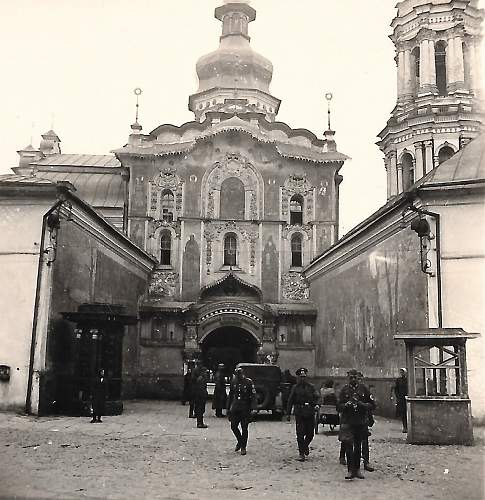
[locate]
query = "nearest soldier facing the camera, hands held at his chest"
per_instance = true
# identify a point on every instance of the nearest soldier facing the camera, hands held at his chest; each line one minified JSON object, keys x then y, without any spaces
{"x":354,"y":404}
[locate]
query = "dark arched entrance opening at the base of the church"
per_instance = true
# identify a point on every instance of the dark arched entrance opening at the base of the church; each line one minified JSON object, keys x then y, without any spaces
{"x":229,"y":345}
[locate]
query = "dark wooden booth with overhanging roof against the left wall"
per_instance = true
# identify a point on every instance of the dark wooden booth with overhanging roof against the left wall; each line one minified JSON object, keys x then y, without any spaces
{"x":97,"y":343}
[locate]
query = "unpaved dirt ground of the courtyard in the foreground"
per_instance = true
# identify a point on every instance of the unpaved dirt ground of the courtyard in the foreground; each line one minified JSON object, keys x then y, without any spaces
{"x":154,"y":451}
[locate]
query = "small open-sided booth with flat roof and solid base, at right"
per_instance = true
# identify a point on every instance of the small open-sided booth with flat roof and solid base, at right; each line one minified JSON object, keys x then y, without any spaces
{"x":438,"y":406}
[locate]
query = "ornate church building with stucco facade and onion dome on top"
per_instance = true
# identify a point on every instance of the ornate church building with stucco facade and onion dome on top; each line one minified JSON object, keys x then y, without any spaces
{"x":233,"y":205}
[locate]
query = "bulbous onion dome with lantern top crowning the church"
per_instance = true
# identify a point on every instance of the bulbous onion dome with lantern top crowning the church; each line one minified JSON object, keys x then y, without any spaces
{"x":234,"y":70}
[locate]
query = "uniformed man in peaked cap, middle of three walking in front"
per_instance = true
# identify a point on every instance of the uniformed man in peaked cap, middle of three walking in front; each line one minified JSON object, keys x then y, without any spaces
{"x":303,"y":397}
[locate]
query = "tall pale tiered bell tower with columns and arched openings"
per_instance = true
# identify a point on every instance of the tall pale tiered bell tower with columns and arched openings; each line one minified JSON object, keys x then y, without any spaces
{"x":438,"y":108}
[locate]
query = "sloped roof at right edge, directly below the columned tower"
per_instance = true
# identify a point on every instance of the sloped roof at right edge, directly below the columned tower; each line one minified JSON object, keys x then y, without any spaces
{"x":466,"y":165}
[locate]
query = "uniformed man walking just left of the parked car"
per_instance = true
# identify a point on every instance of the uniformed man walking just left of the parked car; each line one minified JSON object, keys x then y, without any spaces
{"x":242,"y":398}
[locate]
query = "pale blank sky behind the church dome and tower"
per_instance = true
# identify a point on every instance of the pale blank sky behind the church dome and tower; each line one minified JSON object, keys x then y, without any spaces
{"x":72,"y":65}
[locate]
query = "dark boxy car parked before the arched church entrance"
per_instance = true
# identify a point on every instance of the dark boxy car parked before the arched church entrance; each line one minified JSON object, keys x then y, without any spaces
{"x":267,"y":382}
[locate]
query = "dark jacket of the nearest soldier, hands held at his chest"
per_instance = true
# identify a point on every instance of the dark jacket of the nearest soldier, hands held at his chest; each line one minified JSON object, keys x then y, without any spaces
{"x":354,"y":404}
